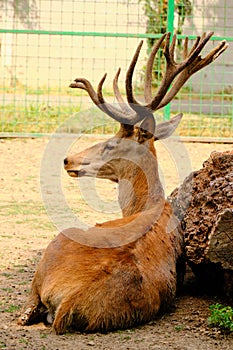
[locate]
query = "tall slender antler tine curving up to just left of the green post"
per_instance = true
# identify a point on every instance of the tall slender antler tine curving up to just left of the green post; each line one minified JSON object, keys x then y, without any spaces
{"x":149,"y":68}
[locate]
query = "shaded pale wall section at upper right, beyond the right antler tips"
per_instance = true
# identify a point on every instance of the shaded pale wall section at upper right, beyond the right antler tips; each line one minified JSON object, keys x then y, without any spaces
{"x":217,"y":16}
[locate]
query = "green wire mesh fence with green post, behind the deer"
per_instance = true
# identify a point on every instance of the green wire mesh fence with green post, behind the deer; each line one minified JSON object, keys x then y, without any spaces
{"x":46,"y":44}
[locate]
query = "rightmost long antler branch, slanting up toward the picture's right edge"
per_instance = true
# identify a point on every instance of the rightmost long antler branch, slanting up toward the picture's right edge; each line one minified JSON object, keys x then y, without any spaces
{"x":198,"y":64}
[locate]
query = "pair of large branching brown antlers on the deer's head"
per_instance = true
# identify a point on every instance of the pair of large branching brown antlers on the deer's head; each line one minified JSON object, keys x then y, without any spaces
{"x":177,"y":72}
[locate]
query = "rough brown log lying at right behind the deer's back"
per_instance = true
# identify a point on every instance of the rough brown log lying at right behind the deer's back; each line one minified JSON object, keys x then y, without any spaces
{"x":204,"y":205}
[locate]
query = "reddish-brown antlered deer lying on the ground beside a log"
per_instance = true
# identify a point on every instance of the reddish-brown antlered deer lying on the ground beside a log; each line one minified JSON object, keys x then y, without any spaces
{"x":125,"y":272}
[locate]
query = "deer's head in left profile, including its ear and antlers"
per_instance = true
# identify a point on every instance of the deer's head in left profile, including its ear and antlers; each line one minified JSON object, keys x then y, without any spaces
{"x":132,"y":147}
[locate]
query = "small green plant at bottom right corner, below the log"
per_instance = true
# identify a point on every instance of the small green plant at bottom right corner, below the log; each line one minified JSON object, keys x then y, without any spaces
{"x":221,"y":317}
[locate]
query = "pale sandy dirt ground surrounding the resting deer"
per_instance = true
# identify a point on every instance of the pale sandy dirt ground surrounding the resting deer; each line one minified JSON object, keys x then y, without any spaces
{"x":26,"y":230}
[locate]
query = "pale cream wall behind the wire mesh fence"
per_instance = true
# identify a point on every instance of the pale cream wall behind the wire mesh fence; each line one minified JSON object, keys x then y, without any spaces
{"x":54,"y":60}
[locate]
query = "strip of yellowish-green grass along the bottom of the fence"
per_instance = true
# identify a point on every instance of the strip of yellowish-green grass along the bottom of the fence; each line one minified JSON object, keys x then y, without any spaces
{"x":38,"y":118}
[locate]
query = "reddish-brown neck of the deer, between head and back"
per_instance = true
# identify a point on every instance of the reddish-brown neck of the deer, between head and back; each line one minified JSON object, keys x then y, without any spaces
{"x":140,"y":188}
